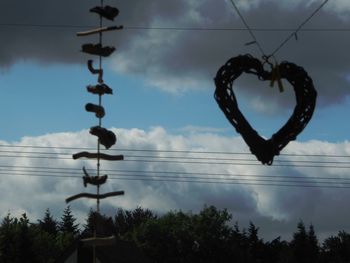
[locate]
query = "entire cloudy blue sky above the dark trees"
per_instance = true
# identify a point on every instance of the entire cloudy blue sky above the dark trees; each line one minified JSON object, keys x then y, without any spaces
{"x":163,"y":100}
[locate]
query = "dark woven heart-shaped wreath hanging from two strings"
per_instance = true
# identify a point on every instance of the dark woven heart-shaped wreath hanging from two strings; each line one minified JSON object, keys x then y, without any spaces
{"x":265,"y":149}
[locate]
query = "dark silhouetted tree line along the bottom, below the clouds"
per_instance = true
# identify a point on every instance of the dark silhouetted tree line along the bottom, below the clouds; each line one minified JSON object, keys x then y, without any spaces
{"x":176,"y":236}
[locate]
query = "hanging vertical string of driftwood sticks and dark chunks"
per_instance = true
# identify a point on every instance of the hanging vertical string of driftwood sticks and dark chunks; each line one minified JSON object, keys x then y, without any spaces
{"x":105,"y":137}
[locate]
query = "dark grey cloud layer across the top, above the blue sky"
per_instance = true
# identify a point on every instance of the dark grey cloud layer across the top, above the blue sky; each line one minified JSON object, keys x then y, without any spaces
{"x":178,"y":60}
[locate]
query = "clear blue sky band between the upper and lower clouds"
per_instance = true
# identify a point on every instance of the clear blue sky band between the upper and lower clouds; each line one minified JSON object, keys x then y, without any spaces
{"x":51,"y":98}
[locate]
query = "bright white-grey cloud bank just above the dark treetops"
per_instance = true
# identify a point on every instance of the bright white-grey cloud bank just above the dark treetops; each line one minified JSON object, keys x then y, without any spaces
{"x":248,"y":194}
